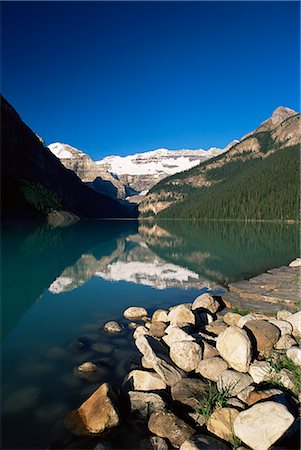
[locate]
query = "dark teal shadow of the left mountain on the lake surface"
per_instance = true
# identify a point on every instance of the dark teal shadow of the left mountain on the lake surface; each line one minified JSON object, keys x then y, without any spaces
{"x":32,"y":257}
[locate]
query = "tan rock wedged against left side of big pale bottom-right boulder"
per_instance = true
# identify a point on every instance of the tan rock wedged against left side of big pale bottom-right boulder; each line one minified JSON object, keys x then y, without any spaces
{"x":221,"y":422}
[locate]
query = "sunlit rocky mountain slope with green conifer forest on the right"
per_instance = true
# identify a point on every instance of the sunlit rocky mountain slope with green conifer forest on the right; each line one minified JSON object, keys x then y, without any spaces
{"x":256,"y":178}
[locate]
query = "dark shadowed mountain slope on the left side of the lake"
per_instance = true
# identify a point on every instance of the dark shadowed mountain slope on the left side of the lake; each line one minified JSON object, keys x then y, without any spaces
{"x":34,"y":182}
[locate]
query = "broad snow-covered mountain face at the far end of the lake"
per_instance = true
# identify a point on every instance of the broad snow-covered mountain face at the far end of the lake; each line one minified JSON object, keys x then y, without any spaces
{"x":142,"y":171}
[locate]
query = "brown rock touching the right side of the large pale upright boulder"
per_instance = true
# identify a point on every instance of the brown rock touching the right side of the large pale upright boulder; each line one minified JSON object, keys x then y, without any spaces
{"x":265,"y":334}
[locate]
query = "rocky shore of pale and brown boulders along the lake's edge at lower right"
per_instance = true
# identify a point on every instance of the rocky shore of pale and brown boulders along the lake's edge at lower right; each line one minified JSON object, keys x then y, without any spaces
{"x":210,"y":377}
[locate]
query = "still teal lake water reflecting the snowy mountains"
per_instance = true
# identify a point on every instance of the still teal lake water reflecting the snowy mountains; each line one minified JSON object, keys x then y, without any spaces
{"x":60,"y":285}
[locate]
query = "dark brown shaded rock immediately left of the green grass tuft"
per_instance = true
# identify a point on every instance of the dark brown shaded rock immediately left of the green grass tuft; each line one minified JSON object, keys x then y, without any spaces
{"x":190,"y":392}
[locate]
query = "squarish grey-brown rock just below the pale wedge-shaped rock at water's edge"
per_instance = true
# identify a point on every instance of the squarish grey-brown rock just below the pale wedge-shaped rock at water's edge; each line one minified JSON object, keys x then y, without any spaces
{"x":145,"y":403}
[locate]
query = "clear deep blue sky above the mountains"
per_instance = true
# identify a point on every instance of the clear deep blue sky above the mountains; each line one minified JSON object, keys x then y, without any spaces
{"x":117,"y":78}
